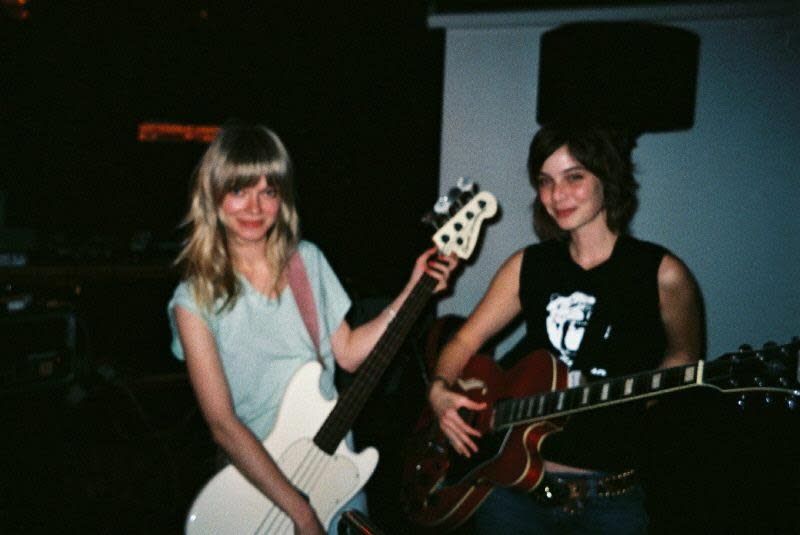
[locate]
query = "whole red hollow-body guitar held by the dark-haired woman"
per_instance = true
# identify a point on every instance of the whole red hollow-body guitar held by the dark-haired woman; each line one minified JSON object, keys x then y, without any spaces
{"x":528,"y":402}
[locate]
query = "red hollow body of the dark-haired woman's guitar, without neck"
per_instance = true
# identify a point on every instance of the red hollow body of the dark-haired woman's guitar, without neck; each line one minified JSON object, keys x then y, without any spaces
{"x":442,"y":488}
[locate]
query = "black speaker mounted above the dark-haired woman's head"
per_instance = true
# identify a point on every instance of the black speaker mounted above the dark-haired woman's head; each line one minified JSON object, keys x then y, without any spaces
{"x":638,"y":76}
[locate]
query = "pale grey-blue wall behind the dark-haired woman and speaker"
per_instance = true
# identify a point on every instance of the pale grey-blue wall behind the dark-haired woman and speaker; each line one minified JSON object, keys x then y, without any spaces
{"x":724,"y":196}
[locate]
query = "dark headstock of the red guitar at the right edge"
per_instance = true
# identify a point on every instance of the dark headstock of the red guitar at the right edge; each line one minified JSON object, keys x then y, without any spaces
{"x":772,"y":370}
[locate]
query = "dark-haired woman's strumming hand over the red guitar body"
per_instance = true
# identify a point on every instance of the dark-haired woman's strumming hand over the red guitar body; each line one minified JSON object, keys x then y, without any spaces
{"x":445,"y":404}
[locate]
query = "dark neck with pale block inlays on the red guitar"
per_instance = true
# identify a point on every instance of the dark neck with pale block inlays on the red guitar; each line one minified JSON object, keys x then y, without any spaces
{"x":598,"y":394}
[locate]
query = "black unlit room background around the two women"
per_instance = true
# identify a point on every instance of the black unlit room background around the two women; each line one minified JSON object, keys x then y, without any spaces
{"x":111,"y":440}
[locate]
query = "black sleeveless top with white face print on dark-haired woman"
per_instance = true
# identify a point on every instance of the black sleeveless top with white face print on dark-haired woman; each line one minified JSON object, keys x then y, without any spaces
{"x":605,"y":322}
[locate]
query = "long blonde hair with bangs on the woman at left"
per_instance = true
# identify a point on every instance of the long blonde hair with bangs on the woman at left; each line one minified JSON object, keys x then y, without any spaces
{"x":237,"y":158}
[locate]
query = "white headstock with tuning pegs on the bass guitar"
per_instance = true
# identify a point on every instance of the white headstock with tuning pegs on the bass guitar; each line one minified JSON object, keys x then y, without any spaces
{"x":458,"y":217}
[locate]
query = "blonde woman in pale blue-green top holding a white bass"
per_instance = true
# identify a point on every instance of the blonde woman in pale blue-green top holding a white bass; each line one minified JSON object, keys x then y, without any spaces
{"x":234,"y":322}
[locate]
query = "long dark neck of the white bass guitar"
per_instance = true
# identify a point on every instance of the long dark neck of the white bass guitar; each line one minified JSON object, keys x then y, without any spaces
{"x":350,"y":403}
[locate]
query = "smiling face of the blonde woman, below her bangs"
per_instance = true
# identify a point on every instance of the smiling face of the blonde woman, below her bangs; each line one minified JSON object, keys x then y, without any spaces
{"x":250,"y":212}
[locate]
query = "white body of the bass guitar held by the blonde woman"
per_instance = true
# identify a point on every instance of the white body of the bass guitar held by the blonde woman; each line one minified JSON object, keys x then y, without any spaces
{"x":229,"y":503}
